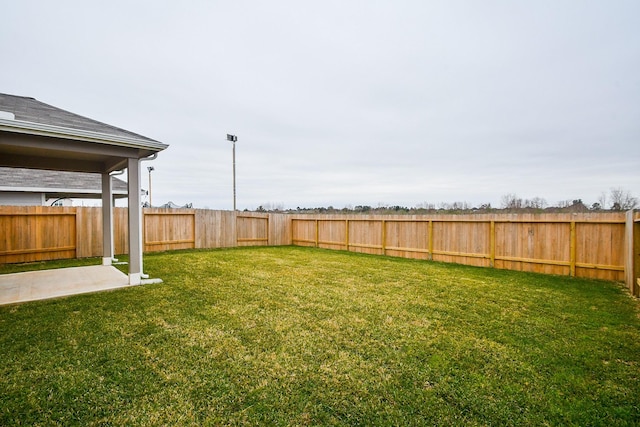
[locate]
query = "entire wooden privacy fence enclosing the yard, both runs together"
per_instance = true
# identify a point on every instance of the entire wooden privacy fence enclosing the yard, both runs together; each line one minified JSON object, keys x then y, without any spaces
{"x":604,"y":246}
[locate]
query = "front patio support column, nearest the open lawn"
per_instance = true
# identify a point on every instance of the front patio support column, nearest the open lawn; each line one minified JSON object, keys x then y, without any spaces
{"x":135,"y":222}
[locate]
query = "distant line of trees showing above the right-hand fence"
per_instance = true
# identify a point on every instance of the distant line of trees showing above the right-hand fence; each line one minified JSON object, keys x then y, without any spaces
{"x":616,"y":200}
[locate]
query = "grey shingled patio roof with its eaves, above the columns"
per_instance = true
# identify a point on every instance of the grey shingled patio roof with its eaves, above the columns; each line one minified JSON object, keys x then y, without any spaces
{"x":39,"y":136}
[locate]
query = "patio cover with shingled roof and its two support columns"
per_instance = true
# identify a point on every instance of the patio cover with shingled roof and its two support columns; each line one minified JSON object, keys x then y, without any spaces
{"x":39,"y":136}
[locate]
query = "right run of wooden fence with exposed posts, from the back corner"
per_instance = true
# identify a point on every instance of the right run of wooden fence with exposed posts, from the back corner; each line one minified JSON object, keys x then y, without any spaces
{"x":589,"y":245}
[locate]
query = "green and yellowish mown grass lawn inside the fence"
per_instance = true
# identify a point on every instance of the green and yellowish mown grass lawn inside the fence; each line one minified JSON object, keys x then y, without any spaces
{"x":302,"y":336}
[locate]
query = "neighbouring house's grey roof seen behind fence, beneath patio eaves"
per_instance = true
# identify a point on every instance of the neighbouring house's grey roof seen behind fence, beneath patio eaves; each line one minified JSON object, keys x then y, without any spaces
{"x":57,"y":183}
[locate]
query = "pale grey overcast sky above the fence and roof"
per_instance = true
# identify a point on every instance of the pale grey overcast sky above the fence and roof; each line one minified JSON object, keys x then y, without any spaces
{"x":345,"y":103}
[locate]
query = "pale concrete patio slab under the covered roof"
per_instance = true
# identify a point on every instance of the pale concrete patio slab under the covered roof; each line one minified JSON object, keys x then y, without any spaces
{"x":37,"y":285}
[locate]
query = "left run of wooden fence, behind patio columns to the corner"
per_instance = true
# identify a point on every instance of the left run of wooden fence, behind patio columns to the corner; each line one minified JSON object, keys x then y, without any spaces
{"x":37,"y":233}
